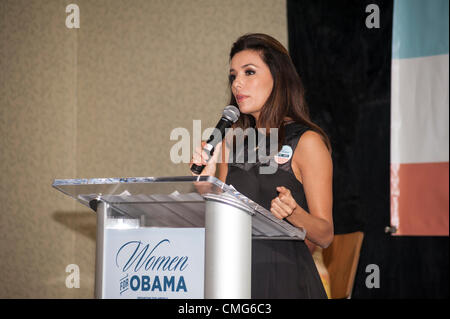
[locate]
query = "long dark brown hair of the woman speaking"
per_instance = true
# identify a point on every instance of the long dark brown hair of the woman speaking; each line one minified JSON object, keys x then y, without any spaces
{"x":288,"y":94}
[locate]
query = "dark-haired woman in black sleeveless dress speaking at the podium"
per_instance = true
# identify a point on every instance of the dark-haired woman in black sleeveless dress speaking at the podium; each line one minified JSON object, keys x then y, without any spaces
{"x":269,"y":93}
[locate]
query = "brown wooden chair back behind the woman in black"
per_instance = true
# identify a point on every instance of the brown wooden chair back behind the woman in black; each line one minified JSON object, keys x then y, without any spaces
{"x":341,"y":259}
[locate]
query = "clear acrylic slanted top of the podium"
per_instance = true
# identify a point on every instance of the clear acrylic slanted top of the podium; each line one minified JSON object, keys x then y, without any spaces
{"x":177,"y":201}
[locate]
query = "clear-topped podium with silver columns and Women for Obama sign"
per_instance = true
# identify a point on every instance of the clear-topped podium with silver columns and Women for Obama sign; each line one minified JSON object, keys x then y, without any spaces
{"x":201,"y":213}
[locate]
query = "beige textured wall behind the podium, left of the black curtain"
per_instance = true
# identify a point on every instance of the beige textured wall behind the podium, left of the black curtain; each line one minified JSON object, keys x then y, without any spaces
{"x":100,"y":101}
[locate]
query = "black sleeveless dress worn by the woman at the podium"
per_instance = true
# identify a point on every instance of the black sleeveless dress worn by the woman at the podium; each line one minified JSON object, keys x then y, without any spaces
{"x":280,"y":268}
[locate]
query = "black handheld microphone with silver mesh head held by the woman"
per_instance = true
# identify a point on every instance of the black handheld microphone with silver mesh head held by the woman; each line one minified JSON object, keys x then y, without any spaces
{"x":229,"y":116}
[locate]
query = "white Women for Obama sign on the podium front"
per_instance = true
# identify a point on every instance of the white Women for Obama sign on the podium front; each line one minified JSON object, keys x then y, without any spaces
{"x":154,"y":263}
